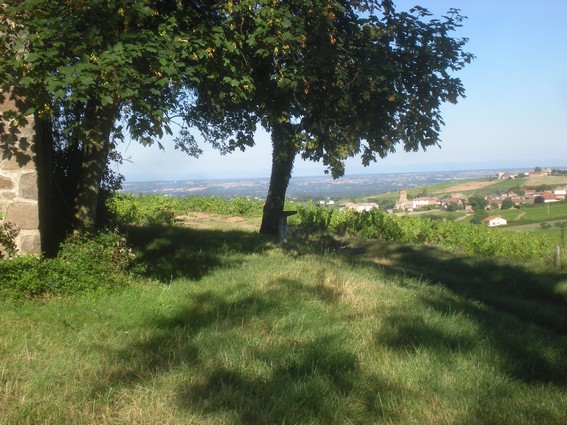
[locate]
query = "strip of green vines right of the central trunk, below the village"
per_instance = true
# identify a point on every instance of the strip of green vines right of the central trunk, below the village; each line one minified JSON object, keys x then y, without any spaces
{"x":463,"y":237}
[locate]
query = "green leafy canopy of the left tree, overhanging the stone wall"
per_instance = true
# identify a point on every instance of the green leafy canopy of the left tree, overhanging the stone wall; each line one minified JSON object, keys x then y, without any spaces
{"x":63,"y":55}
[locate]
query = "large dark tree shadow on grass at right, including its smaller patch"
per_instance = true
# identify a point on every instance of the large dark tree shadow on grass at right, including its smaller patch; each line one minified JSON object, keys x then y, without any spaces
{"x":522,"y":313}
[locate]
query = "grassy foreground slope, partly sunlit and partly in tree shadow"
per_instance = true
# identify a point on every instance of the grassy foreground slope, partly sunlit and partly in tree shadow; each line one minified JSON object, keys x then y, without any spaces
{"x":226,"y":327}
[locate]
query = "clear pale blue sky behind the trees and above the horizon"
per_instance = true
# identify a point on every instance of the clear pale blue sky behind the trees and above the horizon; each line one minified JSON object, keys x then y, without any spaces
{"x":514,"y":114}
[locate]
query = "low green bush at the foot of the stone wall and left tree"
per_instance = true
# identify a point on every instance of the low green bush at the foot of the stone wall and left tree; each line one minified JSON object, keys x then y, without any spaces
{"x":85,"y":263}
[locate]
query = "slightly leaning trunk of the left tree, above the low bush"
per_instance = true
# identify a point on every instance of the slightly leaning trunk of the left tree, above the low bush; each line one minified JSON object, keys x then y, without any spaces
{"x":99,"y":122}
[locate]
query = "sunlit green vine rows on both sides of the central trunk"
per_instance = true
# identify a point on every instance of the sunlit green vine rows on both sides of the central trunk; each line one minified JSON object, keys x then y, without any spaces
{"x":457,"y":236}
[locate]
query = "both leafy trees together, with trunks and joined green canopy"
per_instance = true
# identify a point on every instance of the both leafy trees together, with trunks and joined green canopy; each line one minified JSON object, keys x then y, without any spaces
{"x":327,"y":79}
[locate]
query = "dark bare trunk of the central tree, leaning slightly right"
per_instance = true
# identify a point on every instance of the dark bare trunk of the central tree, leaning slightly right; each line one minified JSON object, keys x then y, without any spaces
{"x":283,"y":155}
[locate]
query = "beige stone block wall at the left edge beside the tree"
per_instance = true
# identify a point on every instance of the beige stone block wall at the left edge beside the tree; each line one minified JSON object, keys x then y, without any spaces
{"x":18,"y":179}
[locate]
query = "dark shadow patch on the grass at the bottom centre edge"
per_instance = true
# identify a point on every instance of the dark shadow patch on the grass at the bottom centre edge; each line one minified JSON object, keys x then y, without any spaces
{"x":305,"y":386}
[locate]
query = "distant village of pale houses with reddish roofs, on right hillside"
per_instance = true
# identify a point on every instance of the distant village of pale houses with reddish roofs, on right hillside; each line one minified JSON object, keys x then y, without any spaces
{"x":458,"y":201}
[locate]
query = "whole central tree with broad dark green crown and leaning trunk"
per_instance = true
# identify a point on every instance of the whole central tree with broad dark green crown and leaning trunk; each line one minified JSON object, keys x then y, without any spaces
{"x":329,"y":80}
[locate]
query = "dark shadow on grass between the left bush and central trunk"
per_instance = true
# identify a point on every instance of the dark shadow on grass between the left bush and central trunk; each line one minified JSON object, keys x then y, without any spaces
{"x":165,"y":253}
